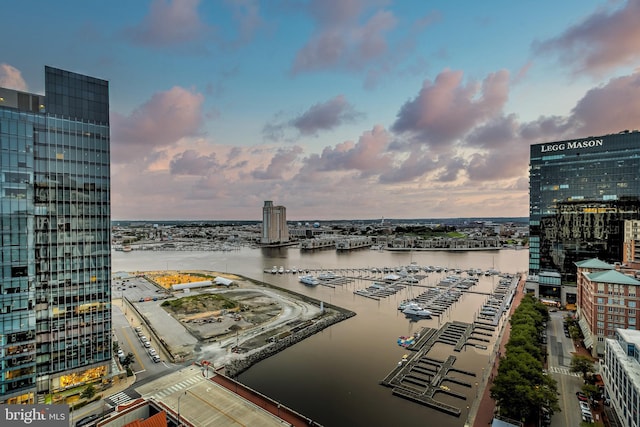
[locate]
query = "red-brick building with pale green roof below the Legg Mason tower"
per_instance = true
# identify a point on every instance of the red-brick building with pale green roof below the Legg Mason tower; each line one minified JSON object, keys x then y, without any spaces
{"x":607,"y":300}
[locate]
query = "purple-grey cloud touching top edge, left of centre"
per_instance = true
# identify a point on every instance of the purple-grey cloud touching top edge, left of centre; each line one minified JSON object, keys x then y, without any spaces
{"x":170,"y":23}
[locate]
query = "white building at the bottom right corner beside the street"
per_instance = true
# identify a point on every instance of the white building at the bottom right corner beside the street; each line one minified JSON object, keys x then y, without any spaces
{"x":621,"y":376}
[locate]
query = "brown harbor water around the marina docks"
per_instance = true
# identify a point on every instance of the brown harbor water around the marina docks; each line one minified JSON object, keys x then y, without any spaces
{"x":334,"y":377}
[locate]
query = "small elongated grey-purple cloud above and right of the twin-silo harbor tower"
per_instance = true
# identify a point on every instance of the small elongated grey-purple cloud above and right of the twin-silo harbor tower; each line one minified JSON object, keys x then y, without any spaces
{"x":323,"y":116}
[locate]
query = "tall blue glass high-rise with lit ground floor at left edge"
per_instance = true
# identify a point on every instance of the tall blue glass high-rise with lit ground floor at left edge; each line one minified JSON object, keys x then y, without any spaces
{"x":55,"y":298}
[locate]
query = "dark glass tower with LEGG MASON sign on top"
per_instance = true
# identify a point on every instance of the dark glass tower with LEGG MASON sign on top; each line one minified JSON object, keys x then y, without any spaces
{"x":581,"y":192}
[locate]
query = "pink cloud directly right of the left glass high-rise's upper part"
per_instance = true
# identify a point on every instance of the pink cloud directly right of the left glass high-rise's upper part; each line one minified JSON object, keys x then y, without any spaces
{"x":160,"y":122}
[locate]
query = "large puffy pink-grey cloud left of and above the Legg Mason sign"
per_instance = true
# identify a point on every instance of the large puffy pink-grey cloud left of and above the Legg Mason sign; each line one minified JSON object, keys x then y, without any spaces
{"x":446,"y":109}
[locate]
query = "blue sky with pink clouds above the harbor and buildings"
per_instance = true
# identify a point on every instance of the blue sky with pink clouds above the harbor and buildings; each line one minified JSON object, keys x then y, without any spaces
{"x":335,"y":109}
